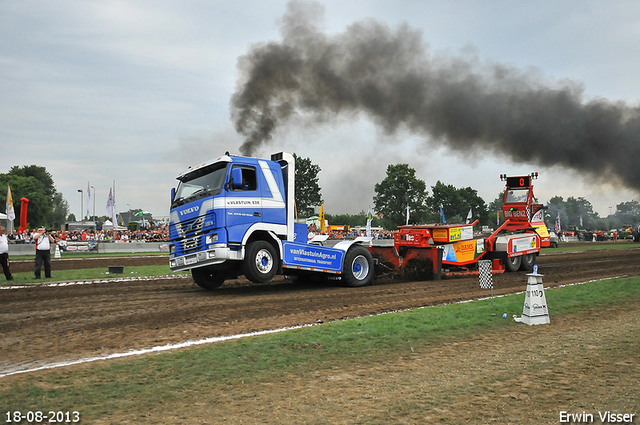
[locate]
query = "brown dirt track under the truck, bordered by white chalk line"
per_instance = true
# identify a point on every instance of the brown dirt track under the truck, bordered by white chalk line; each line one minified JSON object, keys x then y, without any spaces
{"x":43,"y":324}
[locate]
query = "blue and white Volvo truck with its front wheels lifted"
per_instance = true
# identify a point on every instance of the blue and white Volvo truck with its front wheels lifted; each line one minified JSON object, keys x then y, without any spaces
{"x":235,"y":216}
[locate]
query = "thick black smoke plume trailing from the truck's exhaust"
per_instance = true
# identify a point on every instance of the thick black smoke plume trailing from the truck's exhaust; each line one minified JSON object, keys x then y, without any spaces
{"x":470,"y":106}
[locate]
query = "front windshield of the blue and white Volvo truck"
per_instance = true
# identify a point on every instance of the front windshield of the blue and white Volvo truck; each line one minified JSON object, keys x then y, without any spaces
{"x":201,"y":183}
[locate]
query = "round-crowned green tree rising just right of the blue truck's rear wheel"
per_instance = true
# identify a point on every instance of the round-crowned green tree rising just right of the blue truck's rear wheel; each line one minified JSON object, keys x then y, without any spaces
{"x":400,"y":188}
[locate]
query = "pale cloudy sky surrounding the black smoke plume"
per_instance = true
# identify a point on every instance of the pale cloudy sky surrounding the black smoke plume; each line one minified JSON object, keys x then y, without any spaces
{"x":136,"y":91}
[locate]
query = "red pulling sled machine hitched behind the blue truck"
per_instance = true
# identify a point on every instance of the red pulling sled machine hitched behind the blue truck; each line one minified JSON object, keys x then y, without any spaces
{"x":513,"y":246}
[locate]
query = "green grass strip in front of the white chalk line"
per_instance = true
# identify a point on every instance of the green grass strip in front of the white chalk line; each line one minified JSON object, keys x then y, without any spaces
{"x":178,"y":382}
